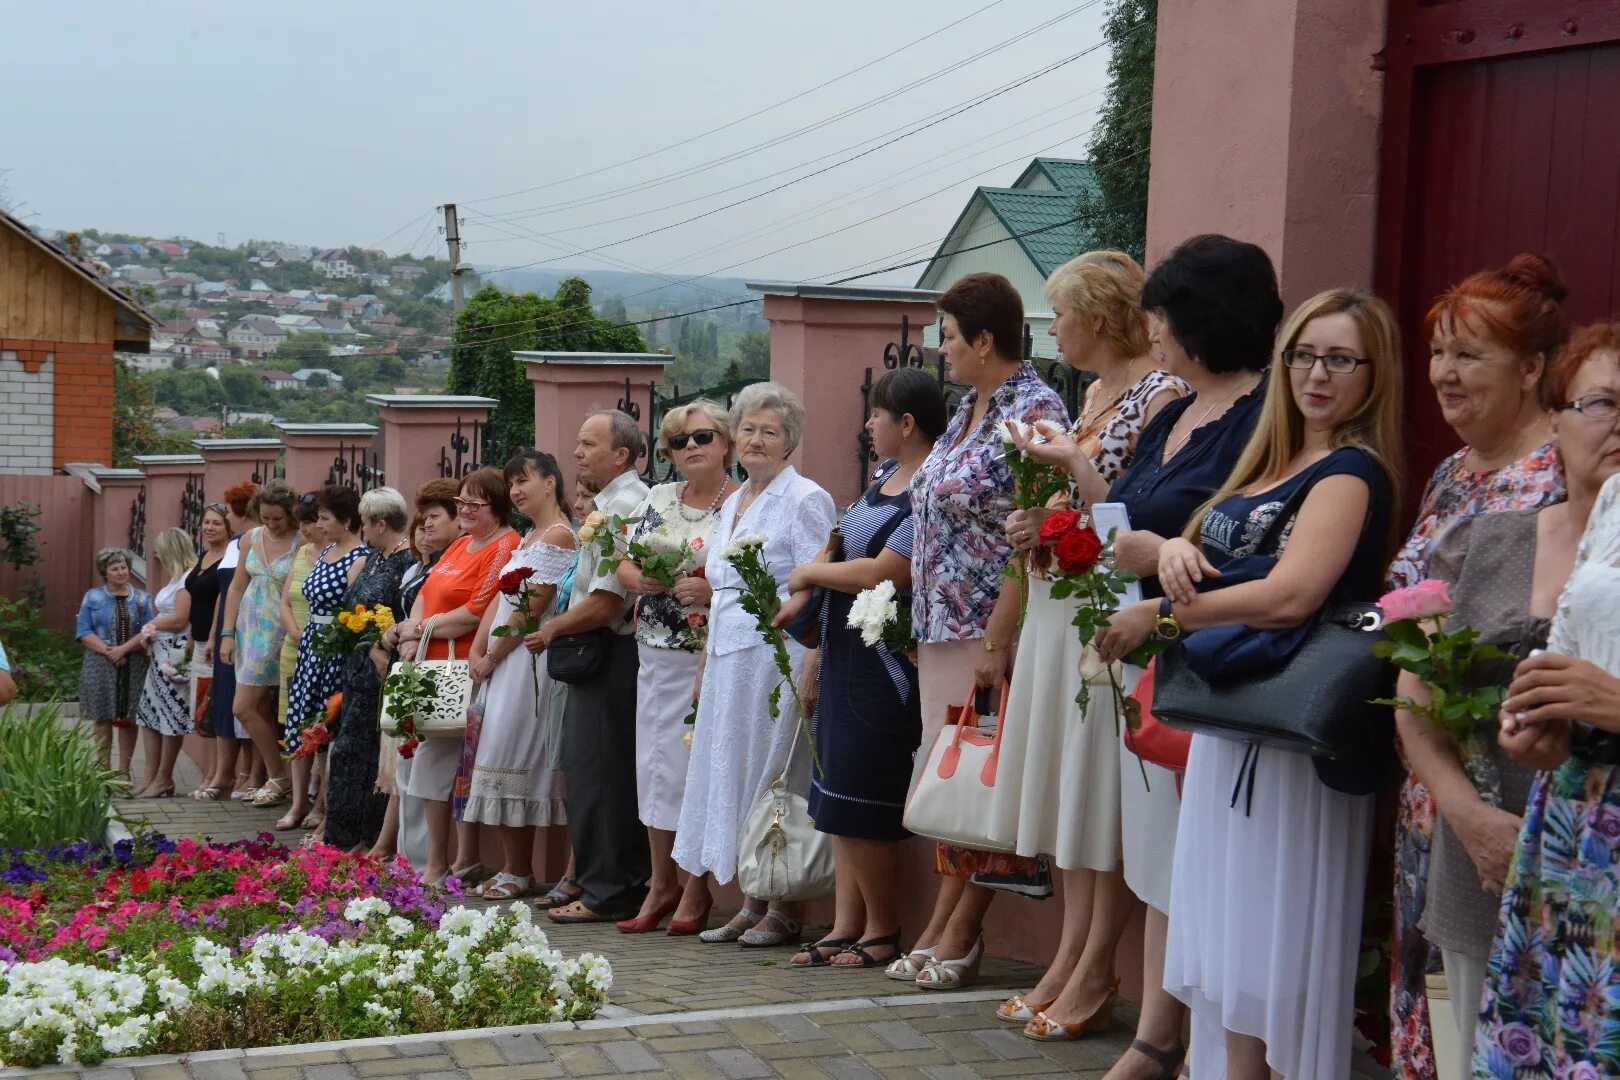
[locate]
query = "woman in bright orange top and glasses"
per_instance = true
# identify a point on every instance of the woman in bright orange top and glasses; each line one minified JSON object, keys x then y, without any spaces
{"x":461,"y":587}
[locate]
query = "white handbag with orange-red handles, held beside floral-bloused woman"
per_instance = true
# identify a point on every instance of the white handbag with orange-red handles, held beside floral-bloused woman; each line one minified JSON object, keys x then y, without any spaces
{"x":952,"y":802}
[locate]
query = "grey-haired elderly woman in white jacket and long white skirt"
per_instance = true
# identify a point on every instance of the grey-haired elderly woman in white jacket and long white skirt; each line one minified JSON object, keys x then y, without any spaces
{"x":736,"y":749}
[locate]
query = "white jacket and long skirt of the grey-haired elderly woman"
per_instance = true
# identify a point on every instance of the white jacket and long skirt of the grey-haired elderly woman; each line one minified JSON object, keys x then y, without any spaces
{"x":736,"y":747}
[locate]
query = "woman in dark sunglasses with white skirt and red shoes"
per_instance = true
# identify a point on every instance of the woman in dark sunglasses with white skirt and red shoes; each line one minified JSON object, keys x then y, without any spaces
{"x":671,"y":629}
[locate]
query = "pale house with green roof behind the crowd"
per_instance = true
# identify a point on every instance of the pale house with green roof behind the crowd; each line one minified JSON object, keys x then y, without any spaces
{"x":1023,"y":232}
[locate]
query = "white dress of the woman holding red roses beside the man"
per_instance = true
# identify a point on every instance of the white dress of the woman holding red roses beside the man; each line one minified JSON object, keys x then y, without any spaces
{"x":514,"y":783}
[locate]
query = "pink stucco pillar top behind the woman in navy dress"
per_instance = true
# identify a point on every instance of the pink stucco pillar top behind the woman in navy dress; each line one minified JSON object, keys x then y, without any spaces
{"x":824,"y":338}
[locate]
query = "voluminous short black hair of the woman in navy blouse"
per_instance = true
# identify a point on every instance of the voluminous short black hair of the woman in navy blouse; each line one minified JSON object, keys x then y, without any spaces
{"x":1221,"y":300}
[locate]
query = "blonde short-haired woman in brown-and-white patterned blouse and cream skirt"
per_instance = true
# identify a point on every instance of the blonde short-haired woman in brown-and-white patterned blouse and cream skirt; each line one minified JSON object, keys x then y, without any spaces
{"x":1060,"y":794}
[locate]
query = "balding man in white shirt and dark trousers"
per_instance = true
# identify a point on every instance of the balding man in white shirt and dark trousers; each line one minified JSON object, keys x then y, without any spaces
{"x":599,"y":726}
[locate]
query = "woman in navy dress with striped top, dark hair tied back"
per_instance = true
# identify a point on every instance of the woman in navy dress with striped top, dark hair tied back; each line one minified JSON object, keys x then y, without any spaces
{"x":869,"y":718}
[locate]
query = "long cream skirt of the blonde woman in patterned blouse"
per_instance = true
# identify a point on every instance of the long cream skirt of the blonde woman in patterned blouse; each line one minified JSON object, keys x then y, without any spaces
{"x":1059,"y":781}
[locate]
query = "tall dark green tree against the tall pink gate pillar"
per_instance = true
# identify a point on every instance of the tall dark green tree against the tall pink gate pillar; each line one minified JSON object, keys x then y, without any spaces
{"x":1115,"y":213}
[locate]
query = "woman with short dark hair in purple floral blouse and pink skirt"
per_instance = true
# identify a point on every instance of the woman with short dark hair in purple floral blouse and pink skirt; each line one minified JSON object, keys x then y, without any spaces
{"x":961,"y":614}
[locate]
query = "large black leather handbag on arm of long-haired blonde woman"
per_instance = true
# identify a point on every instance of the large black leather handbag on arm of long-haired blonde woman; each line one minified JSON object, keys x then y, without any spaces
{"x":1315,"y":700}
